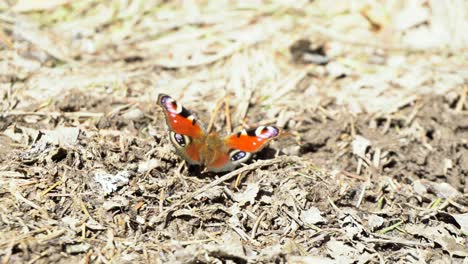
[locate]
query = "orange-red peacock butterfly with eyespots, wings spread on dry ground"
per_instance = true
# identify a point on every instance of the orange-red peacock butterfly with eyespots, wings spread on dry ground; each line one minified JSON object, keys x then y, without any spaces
{"x":211,"y":151}
